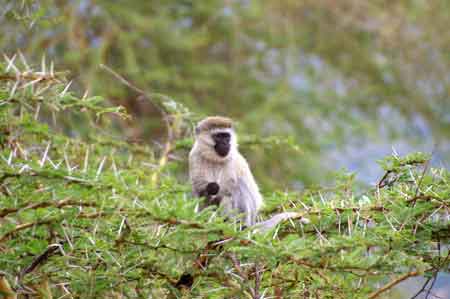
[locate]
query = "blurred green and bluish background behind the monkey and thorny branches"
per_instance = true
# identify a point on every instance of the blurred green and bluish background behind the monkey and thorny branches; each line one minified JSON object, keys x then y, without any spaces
{"x":349,"y":81}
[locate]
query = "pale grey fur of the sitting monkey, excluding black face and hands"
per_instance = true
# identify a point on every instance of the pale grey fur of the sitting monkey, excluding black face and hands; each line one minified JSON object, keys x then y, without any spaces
{"x":237,"y":188}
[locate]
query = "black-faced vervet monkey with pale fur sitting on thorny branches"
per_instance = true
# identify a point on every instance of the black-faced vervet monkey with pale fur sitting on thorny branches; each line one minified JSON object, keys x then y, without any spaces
{"x":220,"y":174}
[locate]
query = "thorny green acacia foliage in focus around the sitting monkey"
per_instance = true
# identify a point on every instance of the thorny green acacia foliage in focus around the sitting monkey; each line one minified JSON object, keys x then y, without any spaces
{"x":103,"y":218}
